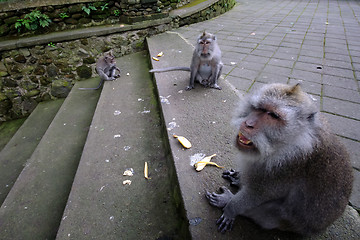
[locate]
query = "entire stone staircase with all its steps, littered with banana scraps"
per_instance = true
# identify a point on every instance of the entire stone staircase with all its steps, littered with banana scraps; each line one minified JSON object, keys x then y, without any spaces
{"x":61,"y":175}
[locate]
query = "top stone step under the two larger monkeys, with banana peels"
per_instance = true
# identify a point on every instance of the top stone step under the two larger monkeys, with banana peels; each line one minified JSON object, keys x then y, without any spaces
{"x":203,"y":115}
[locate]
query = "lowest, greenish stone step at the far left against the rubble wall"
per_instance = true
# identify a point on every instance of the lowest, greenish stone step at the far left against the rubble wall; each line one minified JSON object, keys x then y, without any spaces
{"x":20,"y":147}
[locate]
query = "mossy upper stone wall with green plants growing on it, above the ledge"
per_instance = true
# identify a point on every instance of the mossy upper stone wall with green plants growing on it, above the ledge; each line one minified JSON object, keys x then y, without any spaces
{"x":72,"y":14}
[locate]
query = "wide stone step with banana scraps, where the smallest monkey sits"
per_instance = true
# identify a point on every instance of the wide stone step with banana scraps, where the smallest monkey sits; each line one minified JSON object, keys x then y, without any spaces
{"x":125,"y":133}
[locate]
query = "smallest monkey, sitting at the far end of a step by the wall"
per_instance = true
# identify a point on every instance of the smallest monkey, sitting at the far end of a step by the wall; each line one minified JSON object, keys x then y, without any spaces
{"x":106,"y":68}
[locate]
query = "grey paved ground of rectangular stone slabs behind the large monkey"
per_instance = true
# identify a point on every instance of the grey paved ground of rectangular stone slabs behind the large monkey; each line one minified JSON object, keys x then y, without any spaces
{"x":314,"y":42}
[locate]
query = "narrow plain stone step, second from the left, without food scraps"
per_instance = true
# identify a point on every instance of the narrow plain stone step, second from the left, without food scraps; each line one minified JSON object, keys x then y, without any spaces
{"x":35,"y":204}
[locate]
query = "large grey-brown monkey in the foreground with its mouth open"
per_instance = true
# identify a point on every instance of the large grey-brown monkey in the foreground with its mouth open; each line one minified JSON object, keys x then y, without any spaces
{"x":294,"y":175}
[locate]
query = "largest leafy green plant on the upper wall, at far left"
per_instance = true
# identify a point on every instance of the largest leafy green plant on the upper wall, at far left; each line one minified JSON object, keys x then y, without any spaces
{"x":33,"y":20}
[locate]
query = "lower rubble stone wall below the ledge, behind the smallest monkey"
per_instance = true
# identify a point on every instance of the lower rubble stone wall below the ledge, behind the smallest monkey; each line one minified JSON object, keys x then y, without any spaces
{"x":43,"y":72}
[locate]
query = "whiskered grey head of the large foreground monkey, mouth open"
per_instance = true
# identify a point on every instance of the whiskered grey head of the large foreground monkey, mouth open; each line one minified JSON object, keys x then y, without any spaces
{"x":275,"y":118}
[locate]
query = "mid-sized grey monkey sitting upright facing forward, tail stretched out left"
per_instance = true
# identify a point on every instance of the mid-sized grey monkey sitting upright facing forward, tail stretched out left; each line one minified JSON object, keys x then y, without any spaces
{"x":206,"y":65}
